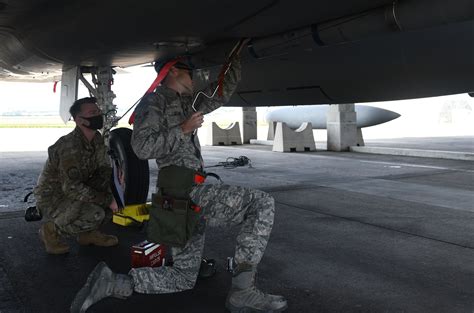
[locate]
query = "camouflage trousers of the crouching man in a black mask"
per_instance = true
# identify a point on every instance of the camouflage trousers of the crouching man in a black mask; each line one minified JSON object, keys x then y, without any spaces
{"x":72,"y":217}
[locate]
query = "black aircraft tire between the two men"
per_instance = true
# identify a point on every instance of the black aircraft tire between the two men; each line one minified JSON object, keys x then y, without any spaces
{"x":137,"y":172}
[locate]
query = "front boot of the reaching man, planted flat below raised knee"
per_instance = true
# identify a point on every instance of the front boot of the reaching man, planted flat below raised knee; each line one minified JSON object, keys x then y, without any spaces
{"x":244,"y":297}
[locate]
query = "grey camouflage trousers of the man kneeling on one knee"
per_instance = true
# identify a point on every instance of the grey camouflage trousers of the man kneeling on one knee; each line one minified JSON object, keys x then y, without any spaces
{"x":222,"y":205}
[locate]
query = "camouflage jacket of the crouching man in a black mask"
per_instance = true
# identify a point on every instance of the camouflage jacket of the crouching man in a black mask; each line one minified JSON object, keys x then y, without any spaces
{"x":76,"y":169}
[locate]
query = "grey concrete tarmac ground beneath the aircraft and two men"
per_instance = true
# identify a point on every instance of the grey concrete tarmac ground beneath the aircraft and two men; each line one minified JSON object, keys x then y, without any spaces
{"x":353,"y":233}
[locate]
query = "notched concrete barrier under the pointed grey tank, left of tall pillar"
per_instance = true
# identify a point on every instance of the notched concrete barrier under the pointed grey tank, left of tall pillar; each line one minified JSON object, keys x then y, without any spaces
{"x":288,"y":140}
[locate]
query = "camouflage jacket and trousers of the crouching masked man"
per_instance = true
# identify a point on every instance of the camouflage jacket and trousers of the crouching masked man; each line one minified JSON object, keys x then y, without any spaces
{"x":74,"y":188}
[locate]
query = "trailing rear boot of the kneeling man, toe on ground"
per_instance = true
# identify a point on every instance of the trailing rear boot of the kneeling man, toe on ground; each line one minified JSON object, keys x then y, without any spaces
{"x":100,"y":284}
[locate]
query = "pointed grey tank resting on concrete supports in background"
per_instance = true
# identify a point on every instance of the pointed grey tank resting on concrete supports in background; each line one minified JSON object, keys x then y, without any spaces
{"x":316,"y":115}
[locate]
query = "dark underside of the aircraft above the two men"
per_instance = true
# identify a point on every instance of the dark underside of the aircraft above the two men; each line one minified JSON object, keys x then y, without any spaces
{"x":301,"y":52}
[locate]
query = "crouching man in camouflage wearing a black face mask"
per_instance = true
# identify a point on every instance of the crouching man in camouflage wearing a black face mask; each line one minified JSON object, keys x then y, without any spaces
{"x":73,"y":190}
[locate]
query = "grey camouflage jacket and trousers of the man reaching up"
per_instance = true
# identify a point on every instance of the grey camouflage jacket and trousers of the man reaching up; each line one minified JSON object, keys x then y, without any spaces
{"x":157,"y":135}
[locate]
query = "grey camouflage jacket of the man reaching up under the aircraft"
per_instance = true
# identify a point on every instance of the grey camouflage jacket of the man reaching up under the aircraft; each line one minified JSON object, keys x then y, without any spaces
{"x":157,"y":133}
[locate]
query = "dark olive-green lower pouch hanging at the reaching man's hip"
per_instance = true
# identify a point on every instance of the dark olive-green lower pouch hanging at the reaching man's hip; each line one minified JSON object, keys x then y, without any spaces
{"x":172,"y":221}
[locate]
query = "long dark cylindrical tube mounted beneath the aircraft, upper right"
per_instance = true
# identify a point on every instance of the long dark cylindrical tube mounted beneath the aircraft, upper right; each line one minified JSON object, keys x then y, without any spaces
{"x":397,"y":17}
